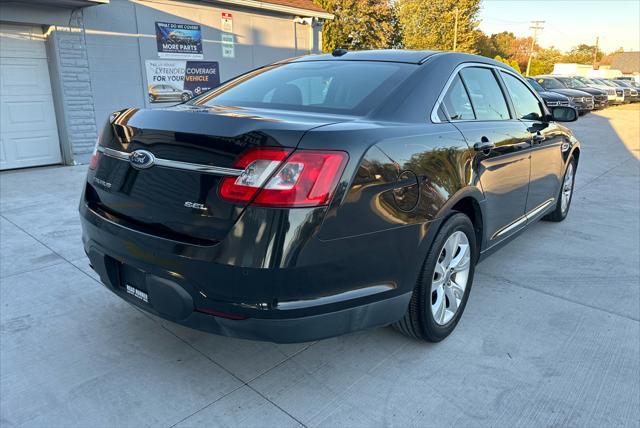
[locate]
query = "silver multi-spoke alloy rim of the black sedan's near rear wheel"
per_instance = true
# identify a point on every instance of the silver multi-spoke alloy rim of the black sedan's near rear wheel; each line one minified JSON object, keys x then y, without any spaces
{"x":450,"y":277}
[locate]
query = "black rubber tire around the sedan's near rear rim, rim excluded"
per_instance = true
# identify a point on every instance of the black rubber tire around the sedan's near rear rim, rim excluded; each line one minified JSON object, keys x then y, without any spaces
{"x":419,"y":321}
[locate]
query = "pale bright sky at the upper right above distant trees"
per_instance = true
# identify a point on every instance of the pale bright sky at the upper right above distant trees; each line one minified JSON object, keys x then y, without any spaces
{"x":568,"y":22}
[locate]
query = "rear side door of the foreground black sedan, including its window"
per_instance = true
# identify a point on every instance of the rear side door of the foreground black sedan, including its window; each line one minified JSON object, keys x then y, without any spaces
{"x":476,"y":105}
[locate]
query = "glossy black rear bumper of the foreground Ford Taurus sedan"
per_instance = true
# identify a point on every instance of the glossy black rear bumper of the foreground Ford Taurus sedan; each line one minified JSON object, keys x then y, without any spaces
{"x":170,"y":277}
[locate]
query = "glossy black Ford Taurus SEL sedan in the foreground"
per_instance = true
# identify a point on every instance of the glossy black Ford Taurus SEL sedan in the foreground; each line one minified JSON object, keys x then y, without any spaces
{"x":325,"y":194}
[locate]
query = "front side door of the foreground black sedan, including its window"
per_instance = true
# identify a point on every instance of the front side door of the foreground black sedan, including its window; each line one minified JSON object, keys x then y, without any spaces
{"x":546,"y":151}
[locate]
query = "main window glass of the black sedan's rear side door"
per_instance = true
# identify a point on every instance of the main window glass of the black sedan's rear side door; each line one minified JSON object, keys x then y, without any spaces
{"x":486,"y":95}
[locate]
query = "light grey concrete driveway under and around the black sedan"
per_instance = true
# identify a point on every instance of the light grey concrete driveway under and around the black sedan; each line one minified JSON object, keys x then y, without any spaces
{"x":550,"y":335}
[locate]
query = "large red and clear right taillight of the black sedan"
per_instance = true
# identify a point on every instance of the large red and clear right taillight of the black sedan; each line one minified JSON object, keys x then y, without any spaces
{"x":306,"y":178}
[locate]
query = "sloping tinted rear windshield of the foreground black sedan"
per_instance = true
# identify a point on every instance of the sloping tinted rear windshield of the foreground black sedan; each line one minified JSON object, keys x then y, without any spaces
{"x":342,"y":87}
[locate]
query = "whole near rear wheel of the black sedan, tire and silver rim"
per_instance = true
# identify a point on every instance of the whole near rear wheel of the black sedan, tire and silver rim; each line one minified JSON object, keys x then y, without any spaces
{"x":444,"y":283}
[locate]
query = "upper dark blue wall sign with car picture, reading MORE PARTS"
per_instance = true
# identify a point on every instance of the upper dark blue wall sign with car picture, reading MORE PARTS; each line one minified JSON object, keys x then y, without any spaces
{"x":179,"y":40}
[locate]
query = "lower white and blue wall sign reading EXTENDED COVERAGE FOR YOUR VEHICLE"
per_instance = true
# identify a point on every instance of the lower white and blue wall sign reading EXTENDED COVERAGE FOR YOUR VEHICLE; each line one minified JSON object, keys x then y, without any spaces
{"x":178,"y":81}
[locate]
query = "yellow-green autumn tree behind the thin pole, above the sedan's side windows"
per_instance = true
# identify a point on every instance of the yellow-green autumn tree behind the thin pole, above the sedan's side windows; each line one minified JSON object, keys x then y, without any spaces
{"x":428,"y":24}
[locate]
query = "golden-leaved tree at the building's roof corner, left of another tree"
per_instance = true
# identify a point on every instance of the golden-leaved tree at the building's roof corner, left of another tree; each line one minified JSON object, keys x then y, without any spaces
{"x":358,"y":24}
